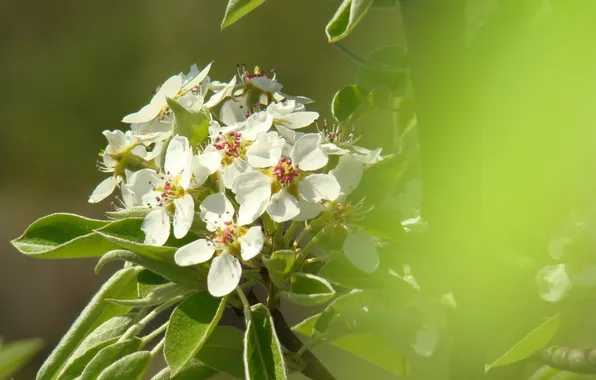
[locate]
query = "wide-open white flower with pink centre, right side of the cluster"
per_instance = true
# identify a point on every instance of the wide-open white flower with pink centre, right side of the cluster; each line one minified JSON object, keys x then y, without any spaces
{"x":283,"y":189}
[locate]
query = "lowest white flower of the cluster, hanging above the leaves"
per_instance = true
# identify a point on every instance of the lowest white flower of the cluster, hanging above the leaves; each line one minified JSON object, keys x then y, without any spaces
{"x":229,"y":242}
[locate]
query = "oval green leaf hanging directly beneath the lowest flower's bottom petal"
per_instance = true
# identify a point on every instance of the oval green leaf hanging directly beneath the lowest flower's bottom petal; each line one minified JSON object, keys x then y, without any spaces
{"x":190,"y":325}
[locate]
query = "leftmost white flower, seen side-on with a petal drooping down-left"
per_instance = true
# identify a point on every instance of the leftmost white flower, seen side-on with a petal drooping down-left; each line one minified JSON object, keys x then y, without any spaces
{"x":123,"y":146}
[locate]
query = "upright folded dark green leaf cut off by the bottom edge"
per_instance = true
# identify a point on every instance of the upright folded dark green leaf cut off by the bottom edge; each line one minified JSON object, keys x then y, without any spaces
{"x":263,"y":358}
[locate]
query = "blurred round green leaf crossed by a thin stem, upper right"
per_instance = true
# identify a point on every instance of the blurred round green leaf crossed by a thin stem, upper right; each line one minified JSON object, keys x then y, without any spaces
{"x":393,"y":56}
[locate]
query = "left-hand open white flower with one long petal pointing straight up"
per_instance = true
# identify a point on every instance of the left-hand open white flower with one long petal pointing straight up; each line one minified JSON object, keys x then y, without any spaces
{"x":166,"y":193}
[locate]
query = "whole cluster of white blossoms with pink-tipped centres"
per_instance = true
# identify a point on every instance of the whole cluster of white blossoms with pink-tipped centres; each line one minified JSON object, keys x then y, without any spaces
{"x":234,"y":174}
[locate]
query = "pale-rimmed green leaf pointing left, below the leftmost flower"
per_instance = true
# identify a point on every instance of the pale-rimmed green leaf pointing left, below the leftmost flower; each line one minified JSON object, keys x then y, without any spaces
{"x":63,"y":236}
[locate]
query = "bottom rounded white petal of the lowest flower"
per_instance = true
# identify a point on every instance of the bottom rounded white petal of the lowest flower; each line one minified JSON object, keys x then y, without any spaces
{"x":224,"y":275}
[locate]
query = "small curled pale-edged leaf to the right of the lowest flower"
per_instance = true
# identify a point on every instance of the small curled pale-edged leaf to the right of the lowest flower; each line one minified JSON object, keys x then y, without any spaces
{"x":307,"y":289}
